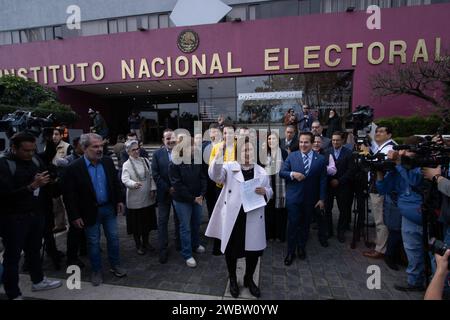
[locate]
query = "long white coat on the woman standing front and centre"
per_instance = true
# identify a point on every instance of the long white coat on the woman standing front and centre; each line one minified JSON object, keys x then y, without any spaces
{"x":229,"y":203}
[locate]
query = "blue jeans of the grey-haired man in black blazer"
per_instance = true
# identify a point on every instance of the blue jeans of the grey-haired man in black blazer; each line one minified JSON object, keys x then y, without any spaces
{"x":108,"y":219}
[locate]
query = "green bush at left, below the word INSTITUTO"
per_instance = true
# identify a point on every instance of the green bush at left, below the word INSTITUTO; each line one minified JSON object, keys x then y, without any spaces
{"x":28,"y":95}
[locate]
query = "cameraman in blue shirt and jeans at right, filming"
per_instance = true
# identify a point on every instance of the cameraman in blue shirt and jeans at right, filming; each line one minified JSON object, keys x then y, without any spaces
{"x":405,"y":184}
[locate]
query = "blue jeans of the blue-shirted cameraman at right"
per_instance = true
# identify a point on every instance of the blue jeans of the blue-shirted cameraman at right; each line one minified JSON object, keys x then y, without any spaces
{"x":413,"y":243}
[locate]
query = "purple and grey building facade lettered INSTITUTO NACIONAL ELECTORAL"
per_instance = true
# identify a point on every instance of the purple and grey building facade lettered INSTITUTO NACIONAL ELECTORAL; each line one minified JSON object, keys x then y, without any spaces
{"x":262,"y":59}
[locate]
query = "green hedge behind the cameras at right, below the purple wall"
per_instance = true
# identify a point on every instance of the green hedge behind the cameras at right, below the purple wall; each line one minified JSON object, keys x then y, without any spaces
{"x":407,"y":126}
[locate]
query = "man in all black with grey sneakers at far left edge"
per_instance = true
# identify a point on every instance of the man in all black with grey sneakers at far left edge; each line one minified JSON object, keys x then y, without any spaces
{"x":23,"y":192}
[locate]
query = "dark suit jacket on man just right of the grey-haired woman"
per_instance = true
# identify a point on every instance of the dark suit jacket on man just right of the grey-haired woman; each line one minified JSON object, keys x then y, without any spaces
{"x":160,"y":173}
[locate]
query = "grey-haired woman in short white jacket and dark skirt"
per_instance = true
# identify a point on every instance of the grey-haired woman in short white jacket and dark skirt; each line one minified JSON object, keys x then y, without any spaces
{"x":137,"y":177}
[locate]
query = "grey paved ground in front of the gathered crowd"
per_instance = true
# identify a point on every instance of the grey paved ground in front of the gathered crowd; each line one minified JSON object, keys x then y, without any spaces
{"x":336,"y":272}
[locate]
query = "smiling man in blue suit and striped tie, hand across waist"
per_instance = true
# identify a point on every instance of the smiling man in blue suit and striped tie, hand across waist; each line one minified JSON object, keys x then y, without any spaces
{"x":305,"y":173}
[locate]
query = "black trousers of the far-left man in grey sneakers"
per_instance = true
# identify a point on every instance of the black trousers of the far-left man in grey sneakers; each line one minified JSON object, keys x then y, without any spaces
{"x":21,"y":232}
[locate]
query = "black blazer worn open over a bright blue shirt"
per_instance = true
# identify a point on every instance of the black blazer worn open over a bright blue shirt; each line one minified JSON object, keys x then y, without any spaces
{"x":79,"y":194}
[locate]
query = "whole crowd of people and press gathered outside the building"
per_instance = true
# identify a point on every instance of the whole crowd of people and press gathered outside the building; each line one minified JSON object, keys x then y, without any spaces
{"x":298,"y":178}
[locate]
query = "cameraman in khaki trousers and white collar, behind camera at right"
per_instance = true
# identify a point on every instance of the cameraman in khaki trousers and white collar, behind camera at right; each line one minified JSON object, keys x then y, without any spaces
{"x":382,"y":144}
